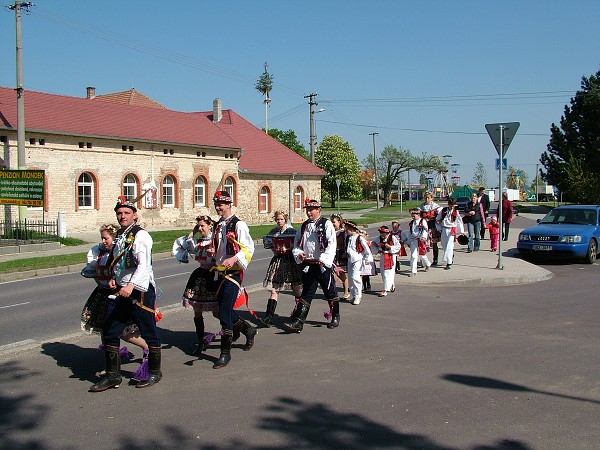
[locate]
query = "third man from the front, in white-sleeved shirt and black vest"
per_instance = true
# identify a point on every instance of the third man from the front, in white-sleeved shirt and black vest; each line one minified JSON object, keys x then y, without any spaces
{"x":314,"y":248}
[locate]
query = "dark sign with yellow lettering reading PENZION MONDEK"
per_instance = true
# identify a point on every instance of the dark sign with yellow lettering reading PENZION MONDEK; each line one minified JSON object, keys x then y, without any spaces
{"x":22,"y":187}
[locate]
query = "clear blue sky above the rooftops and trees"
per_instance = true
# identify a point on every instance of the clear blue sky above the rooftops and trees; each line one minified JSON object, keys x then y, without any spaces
{"x":425,"y":75}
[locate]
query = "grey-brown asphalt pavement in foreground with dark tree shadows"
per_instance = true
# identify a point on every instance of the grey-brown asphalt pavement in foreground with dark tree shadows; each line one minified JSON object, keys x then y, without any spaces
{"x":471,"y":367}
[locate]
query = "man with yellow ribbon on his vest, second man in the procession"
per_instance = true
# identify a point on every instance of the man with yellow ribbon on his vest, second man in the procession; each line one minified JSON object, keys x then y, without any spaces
{"x":233,"y":248}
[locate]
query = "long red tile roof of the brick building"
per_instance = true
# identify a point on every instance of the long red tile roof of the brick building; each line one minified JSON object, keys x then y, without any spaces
{"x":112,"y":118}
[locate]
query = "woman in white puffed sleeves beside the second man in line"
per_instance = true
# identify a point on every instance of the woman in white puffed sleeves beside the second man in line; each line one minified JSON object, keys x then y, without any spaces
{"x":200,"y":290}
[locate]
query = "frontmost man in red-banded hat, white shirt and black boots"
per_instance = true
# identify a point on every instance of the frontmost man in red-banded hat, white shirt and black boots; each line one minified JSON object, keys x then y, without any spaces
{"x":133,"y":279}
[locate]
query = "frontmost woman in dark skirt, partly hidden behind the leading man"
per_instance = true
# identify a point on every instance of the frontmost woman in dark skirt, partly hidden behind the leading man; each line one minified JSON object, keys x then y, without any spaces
{"x":99,"y":305}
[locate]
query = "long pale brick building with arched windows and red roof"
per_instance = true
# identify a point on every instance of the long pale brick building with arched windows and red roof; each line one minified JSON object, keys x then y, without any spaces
{"x":96,"y":148}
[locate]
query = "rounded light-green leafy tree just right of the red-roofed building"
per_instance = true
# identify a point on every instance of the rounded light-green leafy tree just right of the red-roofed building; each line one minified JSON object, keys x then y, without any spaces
{"x":337,"y":158}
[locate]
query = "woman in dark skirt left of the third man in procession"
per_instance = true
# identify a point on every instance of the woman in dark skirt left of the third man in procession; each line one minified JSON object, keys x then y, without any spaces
{"x":283,"y":272}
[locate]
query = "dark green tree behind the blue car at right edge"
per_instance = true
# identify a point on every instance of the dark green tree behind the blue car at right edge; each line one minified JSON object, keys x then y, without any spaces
{"x":572,"y":159}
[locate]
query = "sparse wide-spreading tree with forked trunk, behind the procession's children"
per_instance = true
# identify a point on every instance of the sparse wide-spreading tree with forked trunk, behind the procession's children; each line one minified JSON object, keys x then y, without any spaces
{"x":393,"y":162}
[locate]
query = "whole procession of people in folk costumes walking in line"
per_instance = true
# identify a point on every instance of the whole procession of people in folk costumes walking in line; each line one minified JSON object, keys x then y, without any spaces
{"x":123,"y":304}
